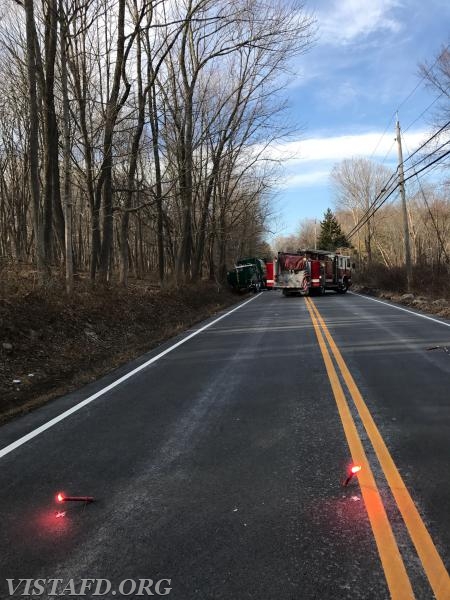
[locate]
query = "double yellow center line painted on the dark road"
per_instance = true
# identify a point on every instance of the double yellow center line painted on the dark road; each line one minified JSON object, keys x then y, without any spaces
{"x":396,"y":575}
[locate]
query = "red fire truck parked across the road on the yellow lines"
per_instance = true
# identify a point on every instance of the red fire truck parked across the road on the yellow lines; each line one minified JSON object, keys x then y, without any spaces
{"x":309,"y":272}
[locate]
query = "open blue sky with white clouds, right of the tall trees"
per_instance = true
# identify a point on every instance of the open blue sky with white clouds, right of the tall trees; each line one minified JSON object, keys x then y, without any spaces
{"x":361,"y":70}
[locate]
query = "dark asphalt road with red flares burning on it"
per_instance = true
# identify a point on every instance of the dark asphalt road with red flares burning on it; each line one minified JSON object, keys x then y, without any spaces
{"x":220,"y":464}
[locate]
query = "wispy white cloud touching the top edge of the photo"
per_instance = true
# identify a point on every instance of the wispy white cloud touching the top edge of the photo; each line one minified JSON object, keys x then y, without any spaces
{"x":344,"y":21}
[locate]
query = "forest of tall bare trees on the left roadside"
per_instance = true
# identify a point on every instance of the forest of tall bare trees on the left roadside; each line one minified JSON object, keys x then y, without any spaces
{"x":132,"y":132}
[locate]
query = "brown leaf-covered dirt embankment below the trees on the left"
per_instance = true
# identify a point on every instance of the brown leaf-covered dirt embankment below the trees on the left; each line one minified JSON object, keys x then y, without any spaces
{"x":50,"y":345}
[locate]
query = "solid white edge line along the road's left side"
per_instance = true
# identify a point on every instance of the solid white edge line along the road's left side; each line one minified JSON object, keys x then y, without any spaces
{"x":29,"y":436}
